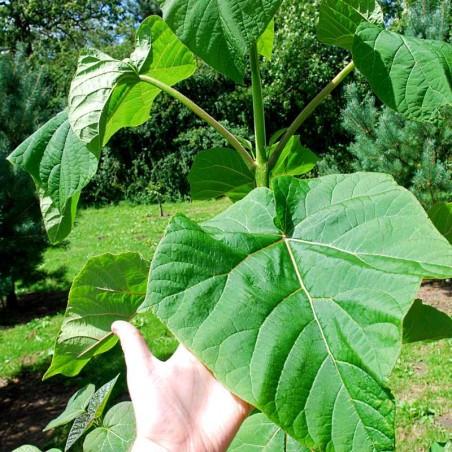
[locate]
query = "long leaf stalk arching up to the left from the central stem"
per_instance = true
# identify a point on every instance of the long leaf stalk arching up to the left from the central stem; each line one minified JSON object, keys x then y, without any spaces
{"x":197,"y":110}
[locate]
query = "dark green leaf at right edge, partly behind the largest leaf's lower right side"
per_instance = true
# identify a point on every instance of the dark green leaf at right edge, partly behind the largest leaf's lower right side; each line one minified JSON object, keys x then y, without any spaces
{"x":425,"y":323}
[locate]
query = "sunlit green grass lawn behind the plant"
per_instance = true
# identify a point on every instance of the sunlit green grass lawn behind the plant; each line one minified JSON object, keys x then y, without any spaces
{"x":422,"y":382}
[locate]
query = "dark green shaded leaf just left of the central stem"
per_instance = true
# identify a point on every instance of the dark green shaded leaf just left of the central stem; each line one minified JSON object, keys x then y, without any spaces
{"x":220,"y":172}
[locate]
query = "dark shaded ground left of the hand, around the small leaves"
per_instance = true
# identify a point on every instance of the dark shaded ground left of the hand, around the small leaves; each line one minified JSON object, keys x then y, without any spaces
{"x":27,"y":403}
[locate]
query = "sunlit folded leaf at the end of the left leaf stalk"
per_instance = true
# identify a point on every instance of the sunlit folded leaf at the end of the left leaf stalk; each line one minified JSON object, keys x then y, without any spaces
{"x":107,"y":95}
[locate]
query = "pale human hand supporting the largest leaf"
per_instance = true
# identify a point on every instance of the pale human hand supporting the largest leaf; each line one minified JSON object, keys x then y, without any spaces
{"x":179,"y":405}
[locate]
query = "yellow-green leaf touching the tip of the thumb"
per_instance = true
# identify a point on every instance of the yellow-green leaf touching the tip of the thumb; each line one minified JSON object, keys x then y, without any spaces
{"x":110,"y":287}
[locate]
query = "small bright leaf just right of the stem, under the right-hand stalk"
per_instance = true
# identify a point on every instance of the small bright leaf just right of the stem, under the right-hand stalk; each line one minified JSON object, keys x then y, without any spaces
{"x":294,"y":160}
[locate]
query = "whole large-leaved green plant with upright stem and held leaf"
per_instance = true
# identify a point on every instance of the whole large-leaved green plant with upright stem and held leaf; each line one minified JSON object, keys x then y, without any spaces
{"x":299,"y":296}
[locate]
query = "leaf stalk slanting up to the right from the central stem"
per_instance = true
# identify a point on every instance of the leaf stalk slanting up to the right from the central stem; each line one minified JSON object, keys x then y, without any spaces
{"x":308,"y":110}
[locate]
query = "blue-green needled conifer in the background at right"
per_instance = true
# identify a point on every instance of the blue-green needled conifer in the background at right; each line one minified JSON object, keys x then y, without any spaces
{"x":417,"y":155}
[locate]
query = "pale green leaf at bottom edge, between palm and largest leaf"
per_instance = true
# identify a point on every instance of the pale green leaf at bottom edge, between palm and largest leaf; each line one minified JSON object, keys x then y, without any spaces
{"x":259,"y":434}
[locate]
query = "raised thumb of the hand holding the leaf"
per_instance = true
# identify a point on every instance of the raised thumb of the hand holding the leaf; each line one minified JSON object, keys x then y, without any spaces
{"x":139,"y":360}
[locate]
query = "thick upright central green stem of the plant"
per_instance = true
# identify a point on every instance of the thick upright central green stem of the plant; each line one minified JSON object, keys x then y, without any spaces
{"x":259,"y":120}
